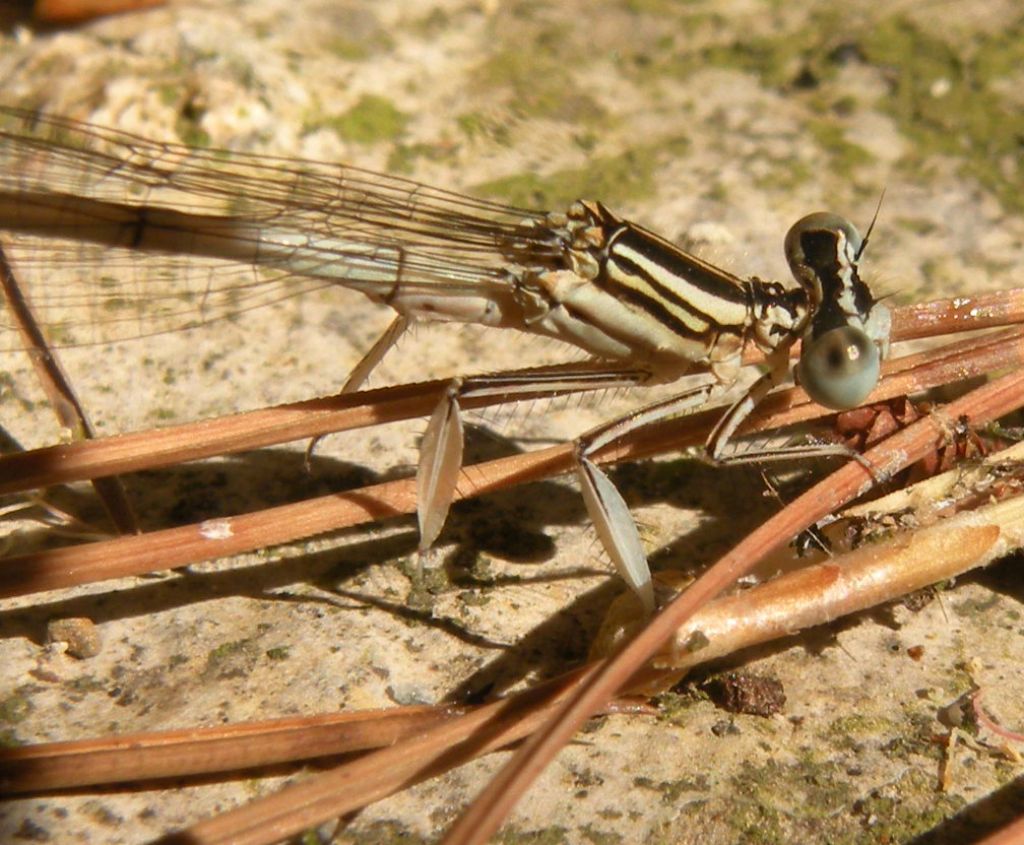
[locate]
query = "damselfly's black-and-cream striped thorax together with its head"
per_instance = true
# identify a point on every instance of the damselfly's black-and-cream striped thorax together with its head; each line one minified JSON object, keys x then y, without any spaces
{"x":625,"y":293}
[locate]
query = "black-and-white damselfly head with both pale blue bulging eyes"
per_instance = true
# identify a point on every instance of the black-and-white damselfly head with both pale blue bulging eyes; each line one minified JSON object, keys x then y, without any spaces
{"x":847,"y":331}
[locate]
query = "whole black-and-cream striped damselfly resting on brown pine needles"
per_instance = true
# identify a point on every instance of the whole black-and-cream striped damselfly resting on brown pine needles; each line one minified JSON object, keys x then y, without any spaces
{"x":644,"y":310}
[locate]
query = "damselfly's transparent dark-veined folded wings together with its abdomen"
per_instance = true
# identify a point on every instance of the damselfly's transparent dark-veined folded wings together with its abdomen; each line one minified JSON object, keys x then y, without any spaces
{"x":245,"y":231}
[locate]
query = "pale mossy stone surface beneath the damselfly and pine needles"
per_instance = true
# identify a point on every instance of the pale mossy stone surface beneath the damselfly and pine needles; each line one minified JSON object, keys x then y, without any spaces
{"x":717,"y":125}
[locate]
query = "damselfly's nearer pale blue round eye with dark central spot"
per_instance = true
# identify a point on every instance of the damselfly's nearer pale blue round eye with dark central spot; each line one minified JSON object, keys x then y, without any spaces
{"x":840,"y":368}
